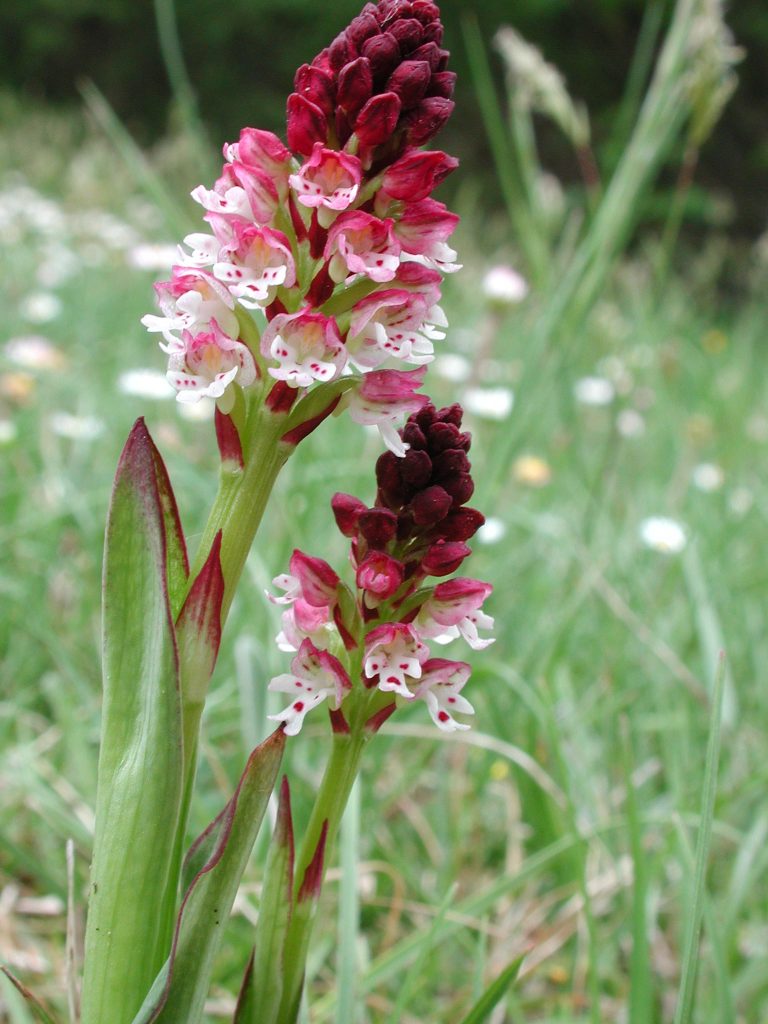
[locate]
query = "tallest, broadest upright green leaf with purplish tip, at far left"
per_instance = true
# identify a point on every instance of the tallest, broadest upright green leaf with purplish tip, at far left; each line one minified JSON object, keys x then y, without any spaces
{"x":134,"y":879}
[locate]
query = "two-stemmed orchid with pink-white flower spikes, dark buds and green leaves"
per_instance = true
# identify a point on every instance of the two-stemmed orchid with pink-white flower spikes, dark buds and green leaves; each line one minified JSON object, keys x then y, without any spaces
{"x":315,"y":291}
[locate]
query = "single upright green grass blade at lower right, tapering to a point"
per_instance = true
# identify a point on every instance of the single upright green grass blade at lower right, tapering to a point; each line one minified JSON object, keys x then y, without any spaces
{"x":685,"y":1009}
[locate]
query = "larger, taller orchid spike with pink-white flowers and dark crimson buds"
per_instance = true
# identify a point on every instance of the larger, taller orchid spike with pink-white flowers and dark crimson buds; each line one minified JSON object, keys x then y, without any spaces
{"x":330,"y":250}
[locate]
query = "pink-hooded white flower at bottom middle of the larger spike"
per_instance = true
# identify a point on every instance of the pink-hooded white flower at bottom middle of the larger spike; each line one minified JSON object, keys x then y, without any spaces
{"x":308,"y":348}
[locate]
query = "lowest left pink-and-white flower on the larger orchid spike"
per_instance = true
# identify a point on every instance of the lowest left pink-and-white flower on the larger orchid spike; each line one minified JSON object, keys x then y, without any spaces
{"x":204,"y":365}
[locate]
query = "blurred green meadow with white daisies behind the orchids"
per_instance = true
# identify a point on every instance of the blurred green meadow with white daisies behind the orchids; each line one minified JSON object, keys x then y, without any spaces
{"x":629,"y":385}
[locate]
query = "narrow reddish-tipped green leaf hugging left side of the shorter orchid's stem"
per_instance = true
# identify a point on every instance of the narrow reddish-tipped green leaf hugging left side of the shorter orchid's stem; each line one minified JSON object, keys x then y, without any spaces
{"x":263,"y":987}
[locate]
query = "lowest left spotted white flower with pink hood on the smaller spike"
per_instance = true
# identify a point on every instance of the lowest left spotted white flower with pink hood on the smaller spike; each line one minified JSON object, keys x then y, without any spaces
{"x":316,"y":676}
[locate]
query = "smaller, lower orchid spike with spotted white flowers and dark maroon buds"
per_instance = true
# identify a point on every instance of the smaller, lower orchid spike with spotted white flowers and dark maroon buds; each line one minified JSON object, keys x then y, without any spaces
{"x":381,"y":632}
